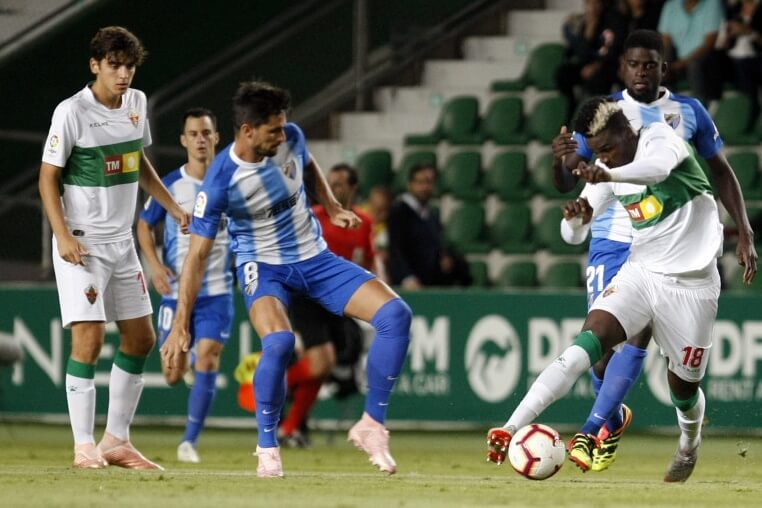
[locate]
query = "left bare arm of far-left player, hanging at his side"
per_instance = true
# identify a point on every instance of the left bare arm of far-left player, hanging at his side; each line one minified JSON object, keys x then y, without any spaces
{"x":68,"y":247}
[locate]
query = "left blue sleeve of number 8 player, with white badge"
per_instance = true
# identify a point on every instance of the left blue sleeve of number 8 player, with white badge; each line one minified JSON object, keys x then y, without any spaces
{"x":211,"y":202}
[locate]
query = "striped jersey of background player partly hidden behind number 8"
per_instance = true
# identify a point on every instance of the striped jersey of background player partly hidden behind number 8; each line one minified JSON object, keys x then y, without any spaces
{"x":218,"y":278}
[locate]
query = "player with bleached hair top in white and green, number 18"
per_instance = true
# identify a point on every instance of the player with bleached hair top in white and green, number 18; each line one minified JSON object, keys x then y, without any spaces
{"x":670,"y":281}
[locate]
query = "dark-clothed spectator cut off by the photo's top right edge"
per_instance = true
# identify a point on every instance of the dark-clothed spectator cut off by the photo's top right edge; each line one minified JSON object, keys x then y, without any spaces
{"x":742,"y":38}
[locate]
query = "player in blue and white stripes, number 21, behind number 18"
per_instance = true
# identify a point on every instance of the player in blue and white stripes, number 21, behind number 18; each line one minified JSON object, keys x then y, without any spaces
{"x":643,"y":102}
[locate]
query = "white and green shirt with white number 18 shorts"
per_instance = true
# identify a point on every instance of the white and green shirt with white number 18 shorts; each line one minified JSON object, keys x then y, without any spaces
{"x":670,"y":280}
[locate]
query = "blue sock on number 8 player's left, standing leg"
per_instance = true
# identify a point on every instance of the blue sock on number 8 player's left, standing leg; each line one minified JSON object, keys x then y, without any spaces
{"x":270,"y":385}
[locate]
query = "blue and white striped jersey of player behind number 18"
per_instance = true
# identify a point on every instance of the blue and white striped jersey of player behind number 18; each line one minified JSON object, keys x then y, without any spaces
{"x":686,"y":115}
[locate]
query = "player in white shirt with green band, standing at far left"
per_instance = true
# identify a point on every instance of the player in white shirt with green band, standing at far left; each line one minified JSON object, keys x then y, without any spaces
{"x":94,"y":151}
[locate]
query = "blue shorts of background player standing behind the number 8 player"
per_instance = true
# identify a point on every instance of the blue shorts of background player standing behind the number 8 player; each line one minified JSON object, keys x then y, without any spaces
{"x":211,"y":318}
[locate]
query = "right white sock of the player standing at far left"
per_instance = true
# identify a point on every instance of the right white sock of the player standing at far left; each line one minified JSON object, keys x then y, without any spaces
{"x":124,"y":391}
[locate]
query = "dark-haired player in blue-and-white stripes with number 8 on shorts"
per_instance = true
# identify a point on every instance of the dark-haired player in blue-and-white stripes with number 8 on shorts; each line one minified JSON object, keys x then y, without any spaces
{"x":258,"y":183}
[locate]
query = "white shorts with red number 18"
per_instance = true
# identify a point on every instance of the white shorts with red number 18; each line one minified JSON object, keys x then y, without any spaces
{"x":680,"y":309}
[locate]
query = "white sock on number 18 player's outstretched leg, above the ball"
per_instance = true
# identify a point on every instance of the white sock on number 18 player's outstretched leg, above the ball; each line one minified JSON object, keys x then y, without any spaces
{"x":553,"y":383}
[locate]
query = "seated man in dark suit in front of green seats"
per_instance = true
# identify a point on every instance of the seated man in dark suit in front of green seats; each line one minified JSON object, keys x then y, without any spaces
{"x":417,"y":254}
